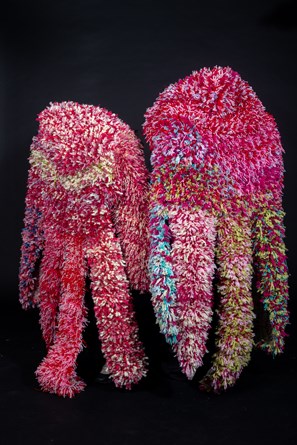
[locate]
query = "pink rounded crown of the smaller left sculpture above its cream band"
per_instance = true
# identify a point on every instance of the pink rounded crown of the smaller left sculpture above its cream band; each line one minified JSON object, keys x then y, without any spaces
{"x":75,"y":136}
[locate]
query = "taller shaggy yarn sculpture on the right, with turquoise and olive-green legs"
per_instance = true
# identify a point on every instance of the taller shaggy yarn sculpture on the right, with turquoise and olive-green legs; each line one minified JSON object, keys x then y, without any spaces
{"x":216,"y":203}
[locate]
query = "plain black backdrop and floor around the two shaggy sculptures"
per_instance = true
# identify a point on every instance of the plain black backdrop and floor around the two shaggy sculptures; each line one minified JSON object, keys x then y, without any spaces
{"x":120,"y":55}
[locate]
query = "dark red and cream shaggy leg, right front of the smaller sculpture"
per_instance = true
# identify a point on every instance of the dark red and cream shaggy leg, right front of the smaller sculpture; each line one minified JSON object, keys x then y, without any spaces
{"x":118,"y":331}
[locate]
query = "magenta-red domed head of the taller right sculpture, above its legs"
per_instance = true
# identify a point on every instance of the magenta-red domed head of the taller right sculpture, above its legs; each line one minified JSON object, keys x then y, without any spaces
{"x":212,"y":125}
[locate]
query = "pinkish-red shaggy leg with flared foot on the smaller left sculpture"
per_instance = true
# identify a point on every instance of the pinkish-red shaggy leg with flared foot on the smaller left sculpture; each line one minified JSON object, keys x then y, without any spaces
{"x":57,"y":373}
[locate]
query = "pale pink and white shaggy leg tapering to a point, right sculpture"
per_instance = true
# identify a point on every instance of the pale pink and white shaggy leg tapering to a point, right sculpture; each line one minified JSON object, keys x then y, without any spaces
{"x":193,"y":259}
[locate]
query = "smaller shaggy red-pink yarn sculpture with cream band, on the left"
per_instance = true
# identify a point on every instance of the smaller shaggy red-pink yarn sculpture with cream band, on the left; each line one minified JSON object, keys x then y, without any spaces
{"x":85,"y":215}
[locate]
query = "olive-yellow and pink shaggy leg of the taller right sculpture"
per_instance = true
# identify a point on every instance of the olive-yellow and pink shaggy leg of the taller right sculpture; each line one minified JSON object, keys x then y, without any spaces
{"x":235,"y":329}
